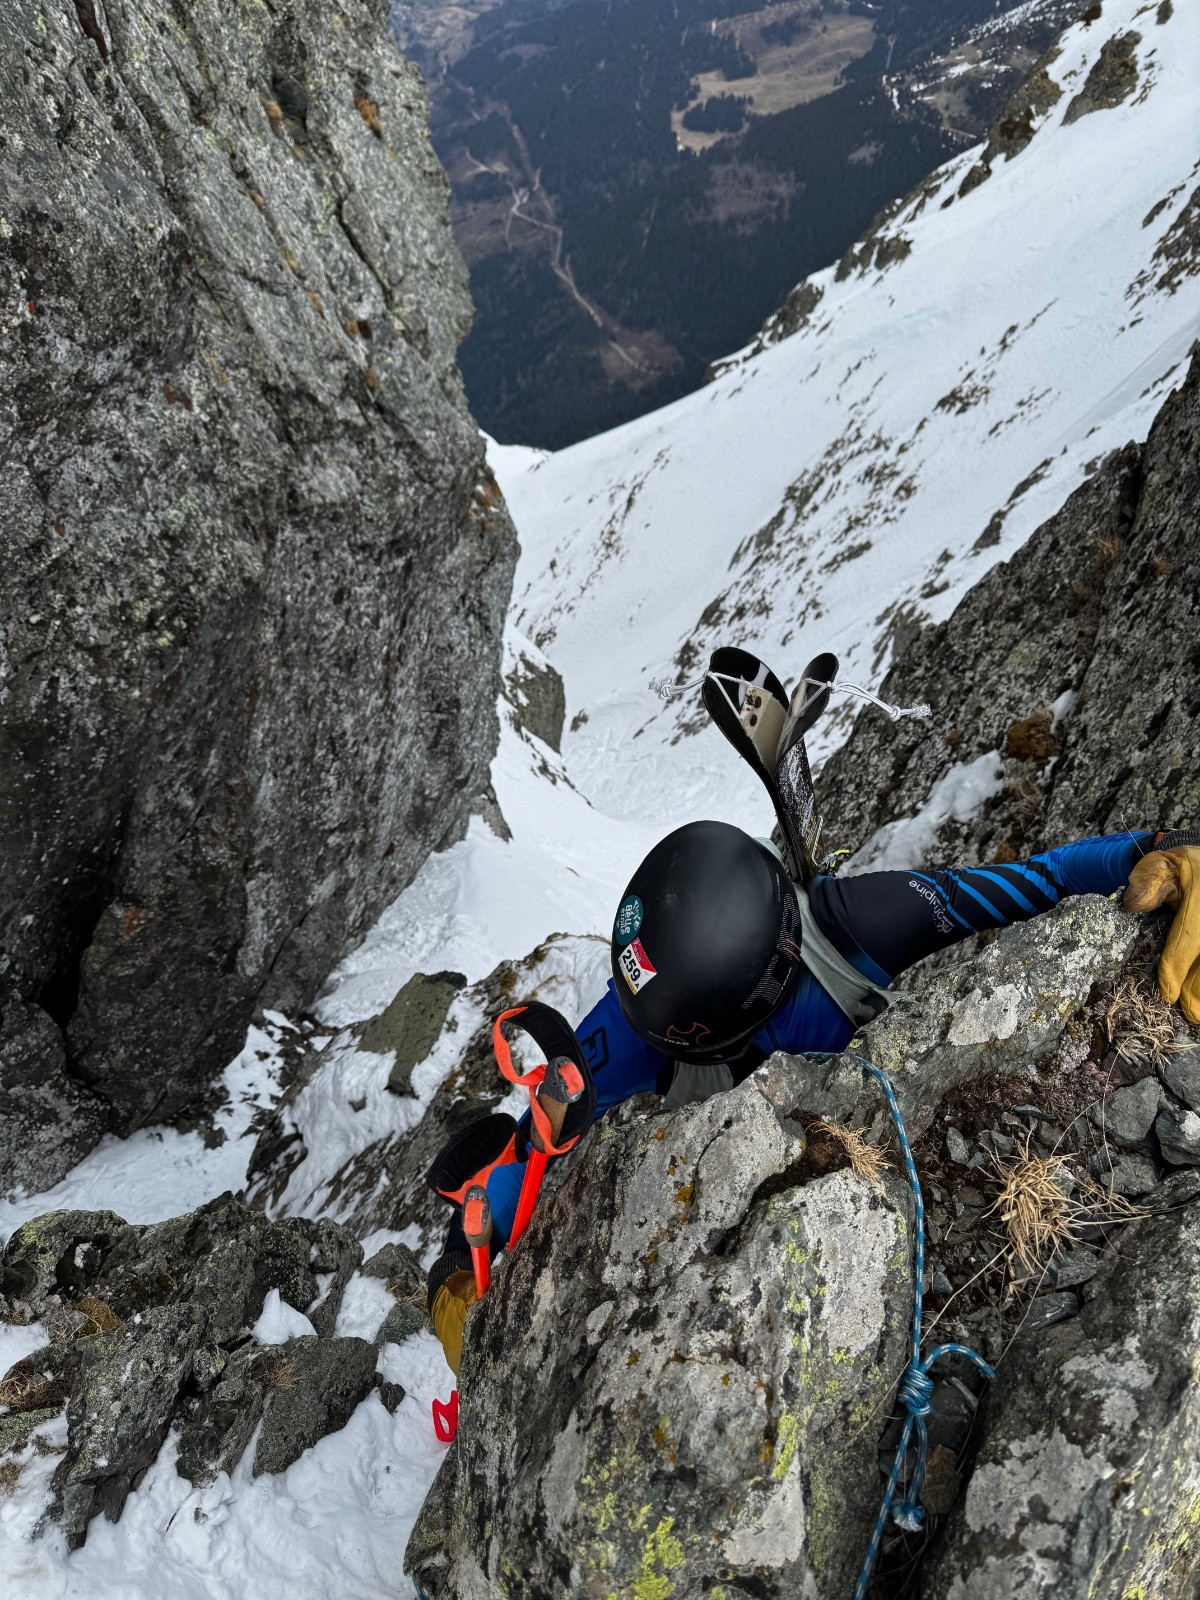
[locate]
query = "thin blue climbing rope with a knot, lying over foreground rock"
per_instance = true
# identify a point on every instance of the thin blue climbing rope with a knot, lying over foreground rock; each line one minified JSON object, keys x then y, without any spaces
{"x":916,"y":1386}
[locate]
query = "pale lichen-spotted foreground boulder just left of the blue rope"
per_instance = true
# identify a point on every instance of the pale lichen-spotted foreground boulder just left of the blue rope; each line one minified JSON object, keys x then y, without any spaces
{"x":673,"y":1391}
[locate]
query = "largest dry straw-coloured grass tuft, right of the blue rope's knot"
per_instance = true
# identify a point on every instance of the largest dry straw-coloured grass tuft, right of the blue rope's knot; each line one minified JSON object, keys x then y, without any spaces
{"x":1046,"y":1206}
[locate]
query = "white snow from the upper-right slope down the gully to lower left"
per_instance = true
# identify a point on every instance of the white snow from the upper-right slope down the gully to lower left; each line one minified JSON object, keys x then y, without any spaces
{"x":818,"y":494}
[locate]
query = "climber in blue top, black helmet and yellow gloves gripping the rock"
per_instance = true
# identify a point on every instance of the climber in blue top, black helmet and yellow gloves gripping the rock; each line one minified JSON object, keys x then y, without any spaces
{"x":721,"y":959}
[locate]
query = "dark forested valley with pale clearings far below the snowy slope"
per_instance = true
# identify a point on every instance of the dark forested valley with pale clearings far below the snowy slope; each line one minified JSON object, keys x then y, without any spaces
{"x":639,"y":185}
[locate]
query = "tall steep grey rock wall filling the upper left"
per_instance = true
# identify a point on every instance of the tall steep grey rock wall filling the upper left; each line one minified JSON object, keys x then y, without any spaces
{"x":254,"y":562}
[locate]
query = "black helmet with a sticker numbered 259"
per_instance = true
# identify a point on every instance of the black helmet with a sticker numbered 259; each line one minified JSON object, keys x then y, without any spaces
{"x":706,"y":943}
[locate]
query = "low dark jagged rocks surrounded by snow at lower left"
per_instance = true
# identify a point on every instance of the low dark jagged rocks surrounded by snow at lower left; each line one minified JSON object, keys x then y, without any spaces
{"x":151,"y":1327}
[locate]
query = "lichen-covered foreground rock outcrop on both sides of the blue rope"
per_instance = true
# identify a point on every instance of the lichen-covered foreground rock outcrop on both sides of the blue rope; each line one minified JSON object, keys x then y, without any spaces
{"x":679,"y":1385}
